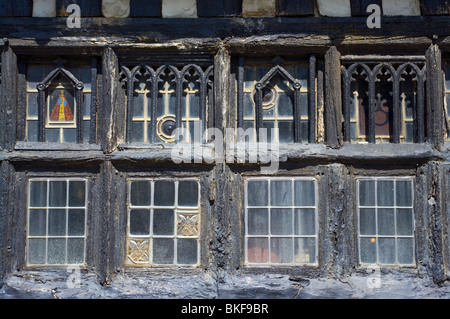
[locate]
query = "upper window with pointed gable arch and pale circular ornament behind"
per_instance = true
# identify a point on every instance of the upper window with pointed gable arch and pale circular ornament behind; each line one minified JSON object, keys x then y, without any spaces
{"x":279,"y":96}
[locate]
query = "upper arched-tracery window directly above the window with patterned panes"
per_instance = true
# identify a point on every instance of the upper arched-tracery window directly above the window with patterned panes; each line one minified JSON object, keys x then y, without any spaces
{"x":164,"y":98}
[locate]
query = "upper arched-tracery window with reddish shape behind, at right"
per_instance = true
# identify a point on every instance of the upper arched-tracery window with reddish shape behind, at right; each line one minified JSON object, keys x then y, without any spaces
{"x":384,"y":99}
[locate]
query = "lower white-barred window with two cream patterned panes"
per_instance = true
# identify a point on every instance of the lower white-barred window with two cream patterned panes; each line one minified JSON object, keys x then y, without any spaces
{"x":163,"y":222}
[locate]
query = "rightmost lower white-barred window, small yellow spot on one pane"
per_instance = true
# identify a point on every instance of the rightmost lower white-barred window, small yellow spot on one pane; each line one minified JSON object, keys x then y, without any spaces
{"x":386,"y":221}
